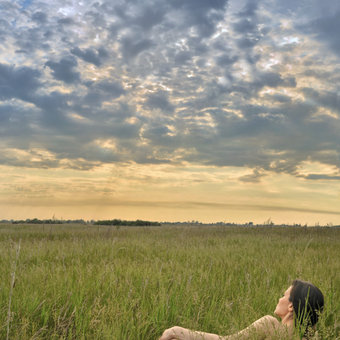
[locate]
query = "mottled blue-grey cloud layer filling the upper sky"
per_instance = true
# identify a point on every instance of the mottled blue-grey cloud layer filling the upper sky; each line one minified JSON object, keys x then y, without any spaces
{"x":216,"y":79}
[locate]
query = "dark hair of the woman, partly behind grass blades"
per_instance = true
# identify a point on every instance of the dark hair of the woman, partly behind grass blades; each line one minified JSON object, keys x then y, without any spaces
{"x":307,"y":302}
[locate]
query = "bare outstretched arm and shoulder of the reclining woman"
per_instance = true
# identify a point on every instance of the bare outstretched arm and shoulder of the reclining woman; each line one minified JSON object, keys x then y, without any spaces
{"x":265,"y":327}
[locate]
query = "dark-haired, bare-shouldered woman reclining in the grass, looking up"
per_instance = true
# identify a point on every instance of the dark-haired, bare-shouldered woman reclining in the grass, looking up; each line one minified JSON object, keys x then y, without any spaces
{"x":299,"y":308}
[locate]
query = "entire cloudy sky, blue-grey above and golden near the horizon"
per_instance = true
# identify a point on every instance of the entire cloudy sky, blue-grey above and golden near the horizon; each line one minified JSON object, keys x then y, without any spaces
{"x":170,"y":110}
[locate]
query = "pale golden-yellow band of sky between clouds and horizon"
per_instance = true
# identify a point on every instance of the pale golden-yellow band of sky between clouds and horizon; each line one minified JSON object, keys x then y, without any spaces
{"x":166,"y":193}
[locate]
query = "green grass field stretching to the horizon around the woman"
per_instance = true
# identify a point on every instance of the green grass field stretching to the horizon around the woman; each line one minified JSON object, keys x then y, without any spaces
{"x":90,"y":282}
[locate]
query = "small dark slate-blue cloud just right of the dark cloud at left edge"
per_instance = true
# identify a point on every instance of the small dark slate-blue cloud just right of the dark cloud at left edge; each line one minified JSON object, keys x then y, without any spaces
{"x":64,"y":70}
